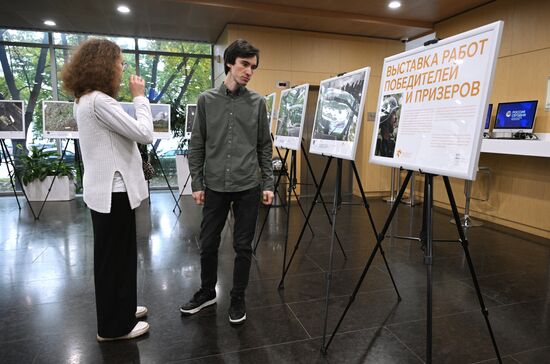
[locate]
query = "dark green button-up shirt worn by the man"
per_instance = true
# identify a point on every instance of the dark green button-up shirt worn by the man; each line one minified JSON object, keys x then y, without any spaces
{"x":230,"y":148}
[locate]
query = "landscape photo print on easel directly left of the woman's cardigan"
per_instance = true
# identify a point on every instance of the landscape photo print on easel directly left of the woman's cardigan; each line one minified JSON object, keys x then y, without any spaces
{"x":58,"y":120}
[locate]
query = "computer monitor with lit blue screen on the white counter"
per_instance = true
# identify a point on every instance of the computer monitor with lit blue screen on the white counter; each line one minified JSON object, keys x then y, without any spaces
{"x":513,"y":117}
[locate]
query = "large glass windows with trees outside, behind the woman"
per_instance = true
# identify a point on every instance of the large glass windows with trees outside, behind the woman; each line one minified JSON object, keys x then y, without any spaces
{"x":25,"y":74}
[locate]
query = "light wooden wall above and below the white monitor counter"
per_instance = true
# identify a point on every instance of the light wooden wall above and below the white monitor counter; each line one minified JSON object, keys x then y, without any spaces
{"x":519,"y":187}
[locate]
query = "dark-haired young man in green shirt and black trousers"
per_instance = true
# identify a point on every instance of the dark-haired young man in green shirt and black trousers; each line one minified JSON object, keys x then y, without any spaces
{"x":230,"y":162}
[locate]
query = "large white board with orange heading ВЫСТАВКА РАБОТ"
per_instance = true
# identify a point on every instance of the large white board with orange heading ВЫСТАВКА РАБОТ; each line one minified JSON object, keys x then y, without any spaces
{"x":433,"y":102}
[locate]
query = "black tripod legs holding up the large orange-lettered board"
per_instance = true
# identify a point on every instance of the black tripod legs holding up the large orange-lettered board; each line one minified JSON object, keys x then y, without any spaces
{"x":426,"y":239}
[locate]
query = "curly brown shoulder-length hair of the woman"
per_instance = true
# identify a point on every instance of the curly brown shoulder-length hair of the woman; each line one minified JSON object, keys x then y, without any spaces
{"x":92,"y":67}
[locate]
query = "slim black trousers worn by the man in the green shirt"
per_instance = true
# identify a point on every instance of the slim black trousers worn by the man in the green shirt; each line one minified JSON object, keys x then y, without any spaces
{"x":245,"y":210}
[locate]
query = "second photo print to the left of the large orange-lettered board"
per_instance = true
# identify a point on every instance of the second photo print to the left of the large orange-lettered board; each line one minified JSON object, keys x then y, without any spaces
{"x":290,"y":120}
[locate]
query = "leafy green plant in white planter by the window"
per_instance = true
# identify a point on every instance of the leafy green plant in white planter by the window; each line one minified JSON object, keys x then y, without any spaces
{"x":38,"y":169}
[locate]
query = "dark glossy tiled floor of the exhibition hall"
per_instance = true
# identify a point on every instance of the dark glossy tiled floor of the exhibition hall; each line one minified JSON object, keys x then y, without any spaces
{"x":48,"y":312}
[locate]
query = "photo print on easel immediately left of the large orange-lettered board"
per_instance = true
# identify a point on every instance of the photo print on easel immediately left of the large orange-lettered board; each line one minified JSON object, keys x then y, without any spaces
{"x":339,"y":114}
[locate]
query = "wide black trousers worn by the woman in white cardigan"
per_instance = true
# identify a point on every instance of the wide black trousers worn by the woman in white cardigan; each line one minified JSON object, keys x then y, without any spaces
{"x":115,"y":267}
